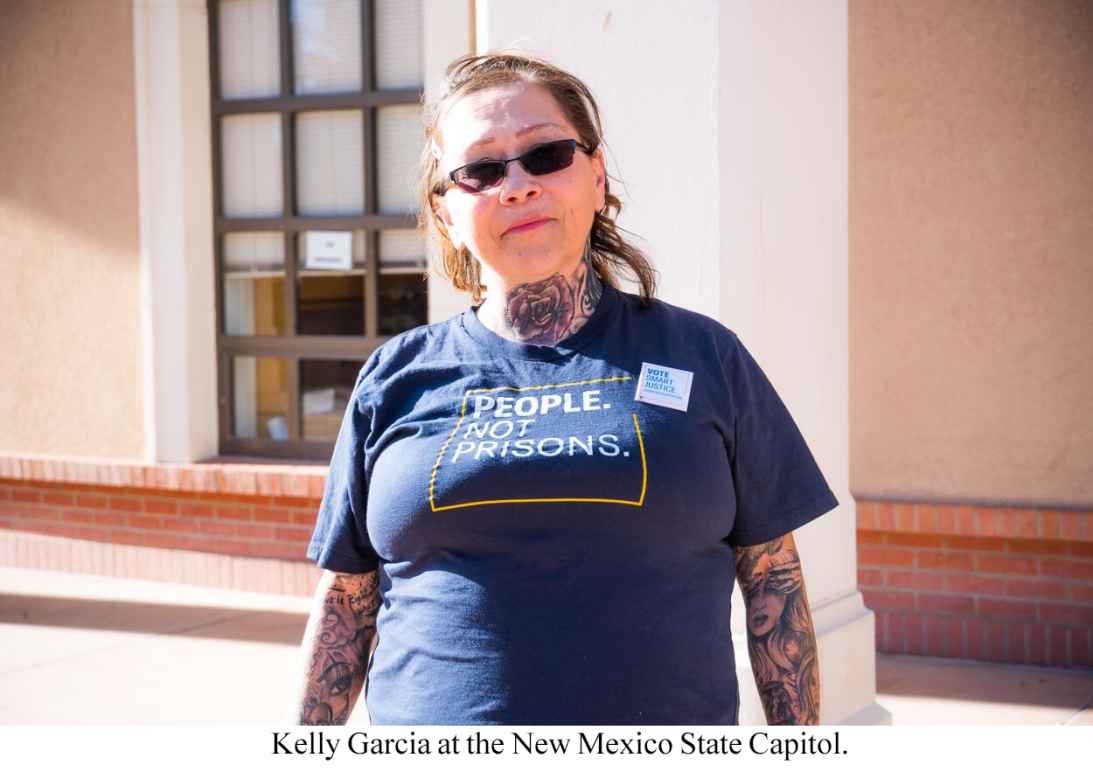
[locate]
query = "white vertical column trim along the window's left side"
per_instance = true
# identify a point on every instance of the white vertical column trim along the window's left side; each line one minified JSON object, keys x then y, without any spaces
{"x":171,"y":56}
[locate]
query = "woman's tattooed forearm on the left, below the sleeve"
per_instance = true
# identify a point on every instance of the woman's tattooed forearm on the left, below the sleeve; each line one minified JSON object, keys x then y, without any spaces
{"x":337,"y":644}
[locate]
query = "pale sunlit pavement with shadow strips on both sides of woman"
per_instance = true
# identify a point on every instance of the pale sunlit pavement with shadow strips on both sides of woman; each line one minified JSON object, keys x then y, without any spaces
{"x":91,"y":650}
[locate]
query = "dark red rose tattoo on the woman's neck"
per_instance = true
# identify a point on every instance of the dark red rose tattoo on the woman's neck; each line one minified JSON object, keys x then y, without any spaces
{"x":550,"y":310}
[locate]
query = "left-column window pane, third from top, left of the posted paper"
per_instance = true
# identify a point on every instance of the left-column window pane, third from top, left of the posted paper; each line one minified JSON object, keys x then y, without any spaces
{"x":254,"y":284}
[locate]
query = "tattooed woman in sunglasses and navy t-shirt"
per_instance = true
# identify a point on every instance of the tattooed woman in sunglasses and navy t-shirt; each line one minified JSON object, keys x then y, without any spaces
{"x":535,"y":509}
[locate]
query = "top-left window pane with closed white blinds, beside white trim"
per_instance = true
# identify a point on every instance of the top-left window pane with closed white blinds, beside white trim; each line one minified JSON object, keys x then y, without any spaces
{"x":250,"y":54}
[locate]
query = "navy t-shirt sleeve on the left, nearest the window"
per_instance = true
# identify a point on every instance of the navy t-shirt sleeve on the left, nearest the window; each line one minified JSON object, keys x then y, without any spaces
{"x":340,"y":541}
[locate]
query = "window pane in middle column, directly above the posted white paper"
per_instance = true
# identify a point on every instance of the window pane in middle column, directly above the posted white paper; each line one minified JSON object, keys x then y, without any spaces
{"x":331,"y":163}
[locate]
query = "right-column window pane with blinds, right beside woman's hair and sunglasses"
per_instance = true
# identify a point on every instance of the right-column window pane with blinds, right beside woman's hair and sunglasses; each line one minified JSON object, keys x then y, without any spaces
{"x":399,"y":138}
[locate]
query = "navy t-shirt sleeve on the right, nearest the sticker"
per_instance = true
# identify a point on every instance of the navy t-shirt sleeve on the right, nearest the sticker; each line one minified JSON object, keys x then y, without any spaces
{"x":778,"y":483}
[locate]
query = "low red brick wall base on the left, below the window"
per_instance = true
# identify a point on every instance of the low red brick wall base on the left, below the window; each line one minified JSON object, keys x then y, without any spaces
{"x":163,"y":522}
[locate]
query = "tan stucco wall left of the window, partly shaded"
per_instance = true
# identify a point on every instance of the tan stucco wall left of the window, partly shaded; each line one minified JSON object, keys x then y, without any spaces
{"x":69,"y":254}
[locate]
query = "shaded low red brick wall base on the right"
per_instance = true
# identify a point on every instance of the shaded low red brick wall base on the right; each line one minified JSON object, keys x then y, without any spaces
{"x":1000,"y":584}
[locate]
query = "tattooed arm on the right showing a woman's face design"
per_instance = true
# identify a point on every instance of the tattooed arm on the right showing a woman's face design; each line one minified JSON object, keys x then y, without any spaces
{"x":781,"y":639}
